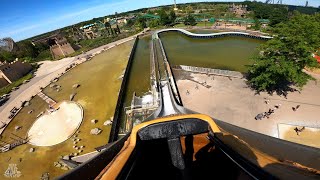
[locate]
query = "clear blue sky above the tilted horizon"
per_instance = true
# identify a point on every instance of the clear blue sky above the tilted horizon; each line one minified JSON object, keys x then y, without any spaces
{"x":21,"y":19}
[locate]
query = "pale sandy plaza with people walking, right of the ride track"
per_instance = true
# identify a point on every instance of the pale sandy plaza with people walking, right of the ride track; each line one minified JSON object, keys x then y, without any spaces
{"x":230,"y":100}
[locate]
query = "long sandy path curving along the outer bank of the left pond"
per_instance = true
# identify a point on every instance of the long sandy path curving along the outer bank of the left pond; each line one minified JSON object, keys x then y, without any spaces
{"x":47,"y":72}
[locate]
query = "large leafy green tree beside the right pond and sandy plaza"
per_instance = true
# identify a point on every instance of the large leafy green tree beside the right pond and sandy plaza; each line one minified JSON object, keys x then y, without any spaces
{"x":281,"y":60}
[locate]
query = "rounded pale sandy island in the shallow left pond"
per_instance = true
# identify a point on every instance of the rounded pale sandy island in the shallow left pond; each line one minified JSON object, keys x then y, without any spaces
{"x":53,"y":128}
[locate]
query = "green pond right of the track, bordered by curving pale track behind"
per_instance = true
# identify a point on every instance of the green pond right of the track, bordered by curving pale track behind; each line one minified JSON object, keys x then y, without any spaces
{"x":230,"y":53}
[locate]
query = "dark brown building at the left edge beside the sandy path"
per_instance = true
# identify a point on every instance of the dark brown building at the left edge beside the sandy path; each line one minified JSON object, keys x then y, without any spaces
{"x":10,"y":72}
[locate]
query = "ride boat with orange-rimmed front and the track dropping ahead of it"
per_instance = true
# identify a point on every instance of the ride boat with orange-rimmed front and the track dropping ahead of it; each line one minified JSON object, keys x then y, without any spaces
{"x":177,"y":143}
